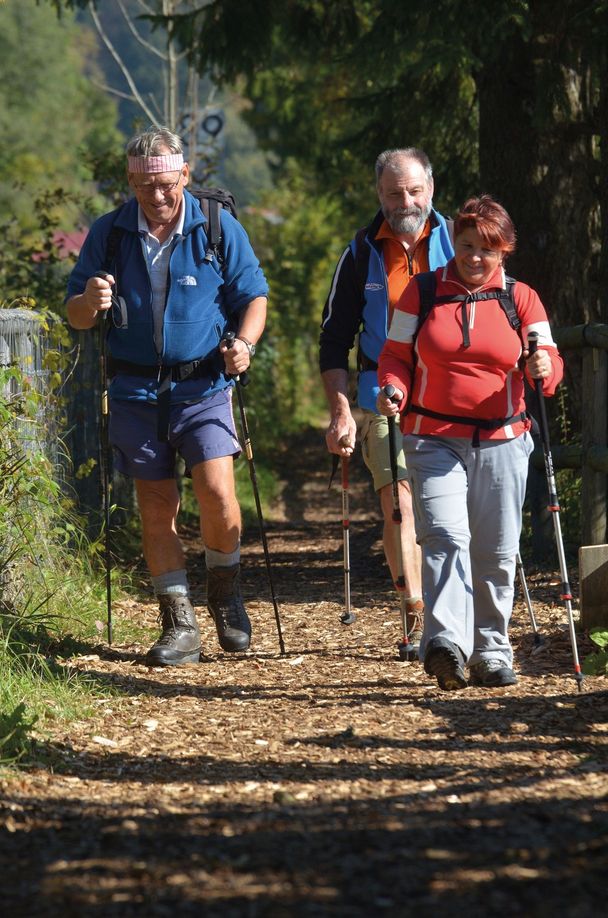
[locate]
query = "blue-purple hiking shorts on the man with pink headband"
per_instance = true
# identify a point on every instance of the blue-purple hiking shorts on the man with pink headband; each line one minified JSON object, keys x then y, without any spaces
{"x":197,"y":432}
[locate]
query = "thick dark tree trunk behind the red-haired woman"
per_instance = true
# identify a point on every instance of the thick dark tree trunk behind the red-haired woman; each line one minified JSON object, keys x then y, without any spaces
{"x":536,"y":156}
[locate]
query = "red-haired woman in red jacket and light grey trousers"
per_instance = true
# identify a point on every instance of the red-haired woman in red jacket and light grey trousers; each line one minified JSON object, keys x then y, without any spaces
{"x":459,"y":385}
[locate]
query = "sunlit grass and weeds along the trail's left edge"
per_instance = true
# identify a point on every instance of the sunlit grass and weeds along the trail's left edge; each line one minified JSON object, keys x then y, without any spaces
{"x":50,"y":581}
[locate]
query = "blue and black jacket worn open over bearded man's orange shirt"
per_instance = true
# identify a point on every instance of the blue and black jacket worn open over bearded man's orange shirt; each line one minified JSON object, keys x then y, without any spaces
{"x":357,"y":306}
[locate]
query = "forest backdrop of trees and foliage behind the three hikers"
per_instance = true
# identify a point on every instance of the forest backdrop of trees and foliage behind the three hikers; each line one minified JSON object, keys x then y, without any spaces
{"x":288,"y":104}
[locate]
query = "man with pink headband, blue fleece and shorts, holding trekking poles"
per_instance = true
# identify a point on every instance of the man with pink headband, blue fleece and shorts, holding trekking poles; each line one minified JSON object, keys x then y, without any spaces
{"x":171,"y":302}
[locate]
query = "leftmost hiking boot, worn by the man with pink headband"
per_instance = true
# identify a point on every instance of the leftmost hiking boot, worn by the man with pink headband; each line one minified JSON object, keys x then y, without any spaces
{"x":180,"y":641}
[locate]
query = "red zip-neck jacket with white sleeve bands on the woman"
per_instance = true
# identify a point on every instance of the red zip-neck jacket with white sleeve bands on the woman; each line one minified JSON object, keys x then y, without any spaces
{"x":482,"y":381}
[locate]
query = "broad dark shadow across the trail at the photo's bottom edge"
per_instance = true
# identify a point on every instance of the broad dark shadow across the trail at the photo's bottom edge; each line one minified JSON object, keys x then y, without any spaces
{"x":326,"y":857}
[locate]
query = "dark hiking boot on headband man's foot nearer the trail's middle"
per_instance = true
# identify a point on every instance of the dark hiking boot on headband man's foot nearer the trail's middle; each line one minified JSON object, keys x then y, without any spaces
{"x":226,"y":608}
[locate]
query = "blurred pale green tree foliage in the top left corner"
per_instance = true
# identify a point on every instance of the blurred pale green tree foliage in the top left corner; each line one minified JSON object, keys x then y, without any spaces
{"x":51,"y":114}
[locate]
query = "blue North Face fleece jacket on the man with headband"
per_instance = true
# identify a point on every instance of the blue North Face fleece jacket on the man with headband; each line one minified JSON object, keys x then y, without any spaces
{"x":203,"y":301}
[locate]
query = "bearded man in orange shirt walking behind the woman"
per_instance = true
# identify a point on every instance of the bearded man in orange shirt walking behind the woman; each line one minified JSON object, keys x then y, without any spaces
{"x":407,"y":236}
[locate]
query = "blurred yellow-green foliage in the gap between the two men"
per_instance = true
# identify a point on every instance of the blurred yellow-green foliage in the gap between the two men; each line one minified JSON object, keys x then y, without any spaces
{"x":297,"y":237}
